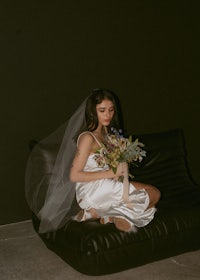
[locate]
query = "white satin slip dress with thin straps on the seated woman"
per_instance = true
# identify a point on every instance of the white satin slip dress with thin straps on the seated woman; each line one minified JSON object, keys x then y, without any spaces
{"x":105,"y":195}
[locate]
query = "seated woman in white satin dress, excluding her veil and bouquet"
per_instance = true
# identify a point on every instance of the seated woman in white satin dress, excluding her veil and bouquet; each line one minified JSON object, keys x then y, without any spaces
{"x":98,"y":190}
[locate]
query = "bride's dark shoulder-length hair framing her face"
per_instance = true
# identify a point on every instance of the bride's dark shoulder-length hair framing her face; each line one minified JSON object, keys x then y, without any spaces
{"x":97,"y":96}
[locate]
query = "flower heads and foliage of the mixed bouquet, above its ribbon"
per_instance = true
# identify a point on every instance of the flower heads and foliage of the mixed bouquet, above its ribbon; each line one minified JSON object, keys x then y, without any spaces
{"x":117,"y":148}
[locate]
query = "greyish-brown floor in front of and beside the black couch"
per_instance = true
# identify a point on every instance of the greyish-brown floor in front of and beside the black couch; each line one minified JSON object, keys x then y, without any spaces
{"x":23,"y":256}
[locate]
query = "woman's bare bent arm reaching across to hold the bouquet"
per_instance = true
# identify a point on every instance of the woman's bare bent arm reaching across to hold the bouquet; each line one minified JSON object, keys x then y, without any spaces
{"x":86,"y":145}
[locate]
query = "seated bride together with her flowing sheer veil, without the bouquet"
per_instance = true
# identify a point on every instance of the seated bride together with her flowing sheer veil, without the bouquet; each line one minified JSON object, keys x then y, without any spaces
{"x":72,"y":175}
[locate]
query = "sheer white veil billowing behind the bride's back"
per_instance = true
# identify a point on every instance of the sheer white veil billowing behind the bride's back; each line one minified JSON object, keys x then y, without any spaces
{"x":49,"y":192}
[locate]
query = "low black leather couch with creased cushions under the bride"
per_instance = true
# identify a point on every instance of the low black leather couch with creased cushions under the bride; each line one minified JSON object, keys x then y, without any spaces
{"x":96,"y":249}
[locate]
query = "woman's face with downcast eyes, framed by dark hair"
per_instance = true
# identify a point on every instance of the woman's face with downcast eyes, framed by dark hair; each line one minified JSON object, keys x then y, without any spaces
{"x":105,"y":112}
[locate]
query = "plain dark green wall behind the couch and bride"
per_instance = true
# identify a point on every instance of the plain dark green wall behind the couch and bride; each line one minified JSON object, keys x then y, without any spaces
{"x":52,"y":56}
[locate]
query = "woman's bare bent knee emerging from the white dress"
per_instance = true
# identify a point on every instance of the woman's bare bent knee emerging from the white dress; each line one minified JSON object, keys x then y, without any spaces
{"x":153,"y":192}
